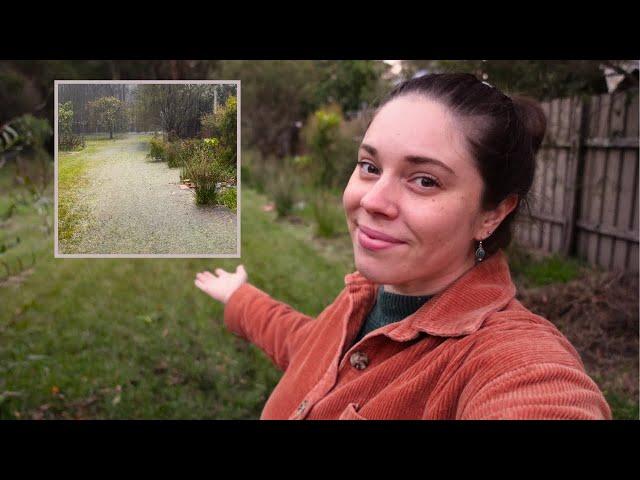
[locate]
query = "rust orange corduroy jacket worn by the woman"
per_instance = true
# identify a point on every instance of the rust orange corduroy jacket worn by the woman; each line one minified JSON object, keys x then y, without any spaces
{"x":473,"y":351}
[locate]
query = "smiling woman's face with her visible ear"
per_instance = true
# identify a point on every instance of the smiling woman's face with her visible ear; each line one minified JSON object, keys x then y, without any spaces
{"x":412,"y":203}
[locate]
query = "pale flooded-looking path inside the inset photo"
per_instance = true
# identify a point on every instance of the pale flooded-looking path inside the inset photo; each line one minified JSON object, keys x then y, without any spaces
{"x":137,"y":207}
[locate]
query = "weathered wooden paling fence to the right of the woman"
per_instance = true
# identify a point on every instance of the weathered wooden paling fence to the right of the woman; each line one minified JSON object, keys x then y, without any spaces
{"x":584,"y":200}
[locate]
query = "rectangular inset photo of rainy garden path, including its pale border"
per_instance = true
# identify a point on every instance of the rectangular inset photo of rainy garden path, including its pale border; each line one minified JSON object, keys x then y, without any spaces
{"x":147,"y":168}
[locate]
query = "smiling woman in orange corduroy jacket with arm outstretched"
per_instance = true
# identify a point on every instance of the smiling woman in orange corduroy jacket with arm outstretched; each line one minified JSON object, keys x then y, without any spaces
{"x":428,"y":326}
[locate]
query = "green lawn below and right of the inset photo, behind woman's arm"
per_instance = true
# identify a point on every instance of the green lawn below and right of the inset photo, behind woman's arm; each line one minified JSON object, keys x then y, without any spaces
{"x":134,"y":338}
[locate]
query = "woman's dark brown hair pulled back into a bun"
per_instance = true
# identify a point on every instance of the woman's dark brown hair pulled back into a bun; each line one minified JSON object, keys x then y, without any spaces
{"x":503,"y":135}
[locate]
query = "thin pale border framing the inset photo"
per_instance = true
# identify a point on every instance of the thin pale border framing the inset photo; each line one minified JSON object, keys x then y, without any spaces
{"x":57,"y":254}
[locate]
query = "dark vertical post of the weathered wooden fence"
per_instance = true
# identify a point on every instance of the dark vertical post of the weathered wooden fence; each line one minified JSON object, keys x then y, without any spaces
{"x":573,"y":186}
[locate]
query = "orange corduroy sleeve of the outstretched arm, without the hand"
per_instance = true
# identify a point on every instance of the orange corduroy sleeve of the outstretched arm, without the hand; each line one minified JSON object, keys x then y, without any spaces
{"x":271,"y":325}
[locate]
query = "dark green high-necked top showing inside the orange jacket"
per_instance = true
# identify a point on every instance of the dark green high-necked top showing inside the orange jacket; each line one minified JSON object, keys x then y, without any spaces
{"x":390,"y":308}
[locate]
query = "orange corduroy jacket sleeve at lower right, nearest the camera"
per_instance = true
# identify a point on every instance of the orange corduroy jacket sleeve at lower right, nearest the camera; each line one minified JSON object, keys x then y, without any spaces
{"x":542,"y":391}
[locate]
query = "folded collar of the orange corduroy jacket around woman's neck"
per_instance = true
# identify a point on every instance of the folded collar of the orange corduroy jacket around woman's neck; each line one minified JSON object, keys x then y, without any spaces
{"x":461,"y":308}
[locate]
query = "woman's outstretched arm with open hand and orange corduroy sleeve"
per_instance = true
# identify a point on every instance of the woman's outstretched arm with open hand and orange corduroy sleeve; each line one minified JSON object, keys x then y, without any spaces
{"x":273,"y":326}
